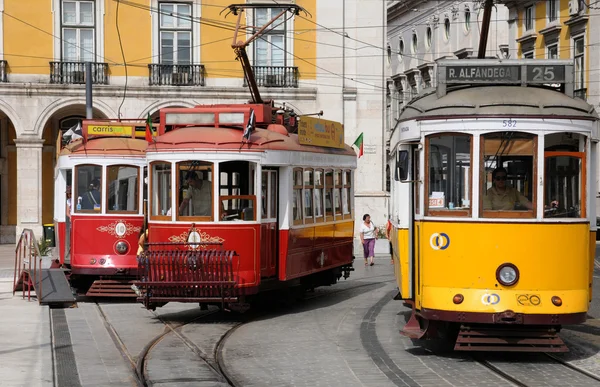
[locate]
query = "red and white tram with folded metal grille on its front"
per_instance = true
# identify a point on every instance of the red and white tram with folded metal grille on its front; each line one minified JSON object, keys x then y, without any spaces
{"x":231,"y":216}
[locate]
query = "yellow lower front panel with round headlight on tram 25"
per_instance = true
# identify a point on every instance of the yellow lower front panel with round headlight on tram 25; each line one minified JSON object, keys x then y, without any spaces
{"x":462,"y":258}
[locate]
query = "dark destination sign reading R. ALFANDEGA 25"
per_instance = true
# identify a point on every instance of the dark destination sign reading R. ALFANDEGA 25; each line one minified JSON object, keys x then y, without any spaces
{"x":510,"y":74}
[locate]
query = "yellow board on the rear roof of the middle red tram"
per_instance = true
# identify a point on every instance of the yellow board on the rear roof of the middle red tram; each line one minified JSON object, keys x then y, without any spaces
{"x":320,"y":132}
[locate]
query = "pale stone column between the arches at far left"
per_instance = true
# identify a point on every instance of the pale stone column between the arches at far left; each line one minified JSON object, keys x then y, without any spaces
{"x":29,"y":185}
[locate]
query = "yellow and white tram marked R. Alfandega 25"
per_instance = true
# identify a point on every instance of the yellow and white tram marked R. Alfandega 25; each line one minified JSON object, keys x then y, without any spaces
{"x":493,"y":205}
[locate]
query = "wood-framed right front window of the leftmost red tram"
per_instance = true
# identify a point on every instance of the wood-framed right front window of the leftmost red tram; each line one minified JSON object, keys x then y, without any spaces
{"x":122,"y":188}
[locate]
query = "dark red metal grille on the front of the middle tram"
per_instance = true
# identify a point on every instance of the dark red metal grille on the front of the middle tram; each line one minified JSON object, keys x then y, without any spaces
{"x":186,"y":276}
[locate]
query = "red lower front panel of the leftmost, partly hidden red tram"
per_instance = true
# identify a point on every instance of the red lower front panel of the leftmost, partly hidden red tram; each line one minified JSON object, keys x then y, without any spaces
{"x":94,"y":244}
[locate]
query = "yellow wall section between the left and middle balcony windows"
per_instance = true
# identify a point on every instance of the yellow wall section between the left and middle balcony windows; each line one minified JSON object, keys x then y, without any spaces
{"x":136,"y":36}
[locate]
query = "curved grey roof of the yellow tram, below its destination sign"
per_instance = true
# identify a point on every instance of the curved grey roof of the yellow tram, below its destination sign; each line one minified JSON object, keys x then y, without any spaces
{"x":497,"y":101}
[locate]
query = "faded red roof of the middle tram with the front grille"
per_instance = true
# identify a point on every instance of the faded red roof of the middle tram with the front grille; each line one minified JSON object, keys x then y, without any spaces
{"x":209,"y":138}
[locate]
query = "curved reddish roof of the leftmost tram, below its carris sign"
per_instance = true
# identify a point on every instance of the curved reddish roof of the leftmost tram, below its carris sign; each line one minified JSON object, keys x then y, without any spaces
{"x":109,"y":146}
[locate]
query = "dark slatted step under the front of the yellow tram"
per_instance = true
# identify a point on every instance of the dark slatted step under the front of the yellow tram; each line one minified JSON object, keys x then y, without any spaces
{"x":509,"y":340}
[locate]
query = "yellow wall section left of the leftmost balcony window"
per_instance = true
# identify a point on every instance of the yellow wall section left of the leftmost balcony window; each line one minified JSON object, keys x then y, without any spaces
{"x":24,"y":57}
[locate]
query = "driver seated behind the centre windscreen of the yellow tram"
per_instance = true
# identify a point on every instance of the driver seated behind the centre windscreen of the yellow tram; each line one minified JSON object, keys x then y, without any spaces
{"x":502,"y":196}
